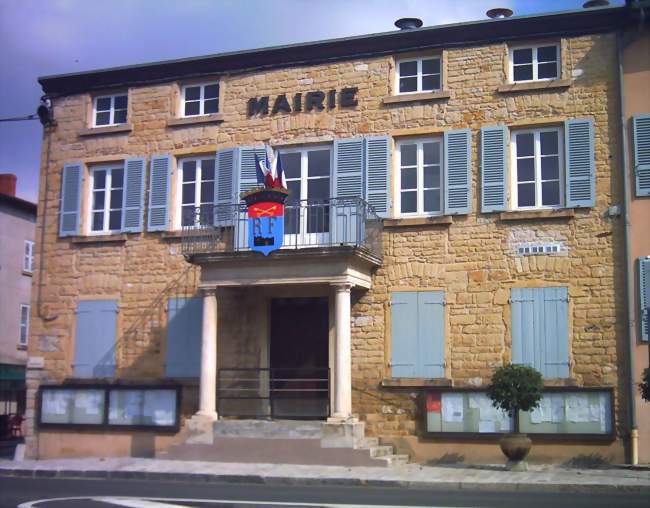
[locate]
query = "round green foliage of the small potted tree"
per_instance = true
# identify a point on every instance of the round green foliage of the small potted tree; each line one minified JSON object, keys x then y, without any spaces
{"x":515,"y":387}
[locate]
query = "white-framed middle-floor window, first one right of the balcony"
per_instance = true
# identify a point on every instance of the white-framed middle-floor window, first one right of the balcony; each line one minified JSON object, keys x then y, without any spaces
{"x":420,"y":177}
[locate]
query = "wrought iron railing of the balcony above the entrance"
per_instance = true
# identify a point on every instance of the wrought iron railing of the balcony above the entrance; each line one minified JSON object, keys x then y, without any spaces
{"x":332,"y":222}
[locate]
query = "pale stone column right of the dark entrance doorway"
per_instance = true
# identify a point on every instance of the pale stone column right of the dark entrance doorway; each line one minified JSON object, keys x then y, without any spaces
{"x":343,"y":371}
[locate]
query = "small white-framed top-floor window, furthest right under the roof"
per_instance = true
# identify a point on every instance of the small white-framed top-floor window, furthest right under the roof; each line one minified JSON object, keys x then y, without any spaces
{"x":534,"y":63}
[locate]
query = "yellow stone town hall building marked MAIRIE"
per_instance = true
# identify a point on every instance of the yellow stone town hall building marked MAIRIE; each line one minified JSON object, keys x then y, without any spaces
{"x":453,"y":208}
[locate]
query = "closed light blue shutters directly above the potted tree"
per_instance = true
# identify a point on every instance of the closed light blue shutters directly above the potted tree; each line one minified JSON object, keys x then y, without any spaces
{"x":540,"y":333}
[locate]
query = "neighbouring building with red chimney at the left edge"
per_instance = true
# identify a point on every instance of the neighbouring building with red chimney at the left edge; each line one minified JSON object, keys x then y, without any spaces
{"x":17,"y":231}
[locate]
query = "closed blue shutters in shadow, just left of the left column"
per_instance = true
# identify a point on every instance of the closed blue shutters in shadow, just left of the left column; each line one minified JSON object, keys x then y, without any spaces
{"x":184,"y":324}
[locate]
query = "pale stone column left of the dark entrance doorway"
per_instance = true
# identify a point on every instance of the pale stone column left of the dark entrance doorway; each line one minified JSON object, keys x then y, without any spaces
{"x":208,"y":383}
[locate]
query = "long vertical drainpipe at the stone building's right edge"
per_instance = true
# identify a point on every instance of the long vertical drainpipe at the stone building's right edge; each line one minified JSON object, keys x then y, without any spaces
{"x":629,"y":269}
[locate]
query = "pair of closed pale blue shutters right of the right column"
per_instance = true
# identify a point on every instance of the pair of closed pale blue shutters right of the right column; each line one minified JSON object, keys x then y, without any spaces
{"x":417,"y":334}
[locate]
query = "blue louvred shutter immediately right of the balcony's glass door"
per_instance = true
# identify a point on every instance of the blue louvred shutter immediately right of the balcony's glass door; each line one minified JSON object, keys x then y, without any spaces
{"x":347,"y":182}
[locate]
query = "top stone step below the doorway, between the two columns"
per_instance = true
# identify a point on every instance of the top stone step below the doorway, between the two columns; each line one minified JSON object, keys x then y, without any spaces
{"x":276,"y":429}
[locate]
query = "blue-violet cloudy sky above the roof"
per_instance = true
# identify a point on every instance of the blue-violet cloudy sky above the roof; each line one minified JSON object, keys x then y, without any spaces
{"x":46,"y":37}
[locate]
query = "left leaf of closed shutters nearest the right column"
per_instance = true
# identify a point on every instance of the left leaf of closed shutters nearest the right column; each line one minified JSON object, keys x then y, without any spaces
{"x":404,"y":334}
